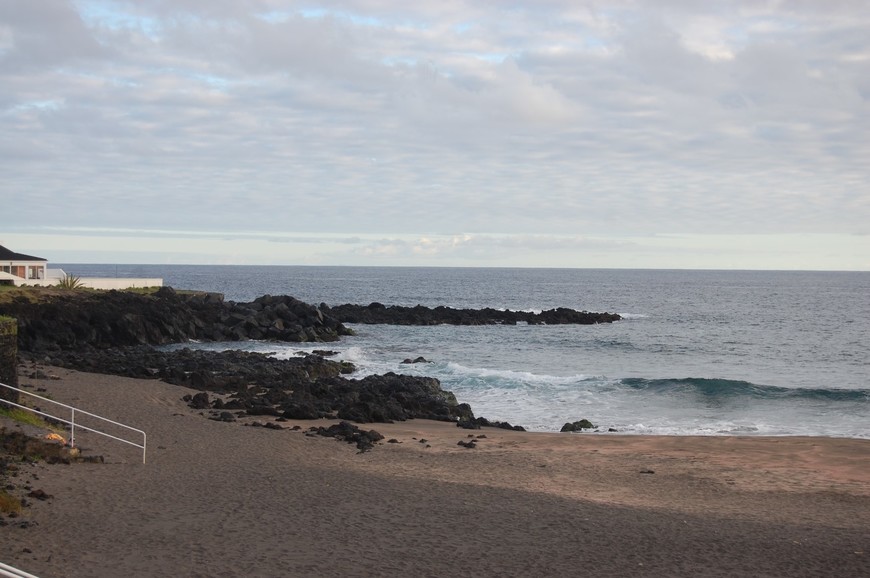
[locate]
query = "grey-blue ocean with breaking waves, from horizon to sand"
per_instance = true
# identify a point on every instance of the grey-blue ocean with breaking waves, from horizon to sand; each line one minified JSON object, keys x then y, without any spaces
{"x":697,"y":353}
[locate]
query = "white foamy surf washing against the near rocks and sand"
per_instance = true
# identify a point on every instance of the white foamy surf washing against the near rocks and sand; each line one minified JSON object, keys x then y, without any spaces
{"x":543,"y":402}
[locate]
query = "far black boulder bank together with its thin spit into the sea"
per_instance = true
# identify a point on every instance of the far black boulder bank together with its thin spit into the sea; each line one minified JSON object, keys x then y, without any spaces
{"x":52,"y":319}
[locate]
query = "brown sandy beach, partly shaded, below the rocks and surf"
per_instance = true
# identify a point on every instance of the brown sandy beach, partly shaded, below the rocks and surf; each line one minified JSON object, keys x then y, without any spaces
{"x":223,"y":499}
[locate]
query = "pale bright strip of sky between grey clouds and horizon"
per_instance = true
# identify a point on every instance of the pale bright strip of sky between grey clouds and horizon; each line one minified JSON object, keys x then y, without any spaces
{"x":700,"y":251}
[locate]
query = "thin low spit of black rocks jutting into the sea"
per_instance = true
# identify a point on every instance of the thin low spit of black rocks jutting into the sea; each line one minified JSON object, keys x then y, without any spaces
{"x":377,"y":313}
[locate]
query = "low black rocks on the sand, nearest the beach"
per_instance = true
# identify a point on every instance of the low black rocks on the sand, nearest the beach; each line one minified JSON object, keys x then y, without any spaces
{"x":307,"y":387}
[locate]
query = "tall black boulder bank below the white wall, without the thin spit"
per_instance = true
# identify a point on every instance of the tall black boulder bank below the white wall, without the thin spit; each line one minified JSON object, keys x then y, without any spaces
{"x":55,"y":320}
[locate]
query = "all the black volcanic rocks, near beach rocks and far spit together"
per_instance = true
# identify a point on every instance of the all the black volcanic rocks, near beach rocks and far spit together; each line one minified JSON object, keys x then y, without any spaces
{"x":119,"y":333}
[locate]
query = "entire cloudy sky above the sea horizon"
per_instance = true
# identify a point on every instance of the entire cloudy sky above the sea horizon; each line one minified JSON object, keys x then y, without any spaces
{"x":548,"y":133}
